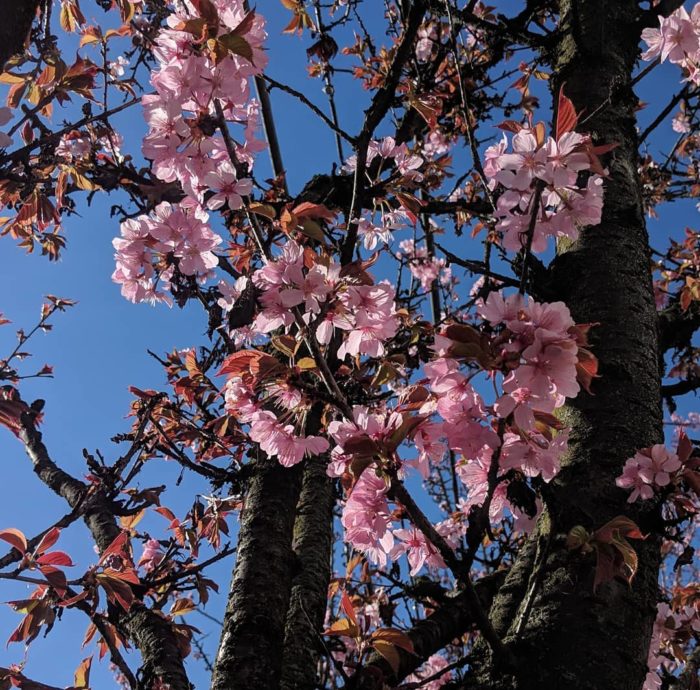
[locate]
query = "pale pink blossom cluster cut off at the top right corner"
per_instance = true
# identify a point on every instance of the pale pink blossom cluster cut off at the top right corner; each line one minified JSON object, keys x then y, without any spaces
{"x":677,"y":40}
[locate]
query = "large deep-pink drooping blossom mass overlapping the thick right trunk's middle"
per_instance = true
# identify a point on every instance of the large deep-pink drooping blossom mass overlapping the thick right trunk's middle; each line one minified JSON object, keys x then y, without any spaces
{"x":538,"y":349}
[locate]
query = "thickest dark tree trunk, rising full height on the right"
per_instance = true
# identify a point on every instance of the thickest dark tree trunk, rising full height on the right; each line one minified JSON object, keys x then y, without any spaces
{"x":567,"y":635}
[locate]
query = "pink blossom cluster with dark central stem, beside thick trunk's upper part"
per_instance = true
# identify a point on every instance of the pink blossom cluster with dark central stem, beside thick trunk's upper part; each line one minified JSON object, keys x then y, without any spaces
{"x":548,"y":187}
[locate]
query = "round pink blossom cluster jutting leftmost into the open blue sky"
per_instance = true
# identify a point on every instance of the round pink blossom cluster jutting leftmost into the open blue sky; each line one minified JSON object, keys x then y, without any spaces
{"x":150,"y":246}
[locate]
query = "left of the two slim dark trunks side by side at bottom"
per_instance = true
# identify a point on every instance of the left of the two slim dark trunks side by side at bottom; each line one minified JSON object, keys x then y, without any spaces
{"x":252,"y":637}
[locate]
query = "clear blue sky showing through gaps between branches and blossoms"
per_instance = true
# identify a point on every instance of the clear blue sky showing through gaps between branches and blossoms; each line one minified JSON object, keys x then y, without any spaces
{"x":98,"y":348}
